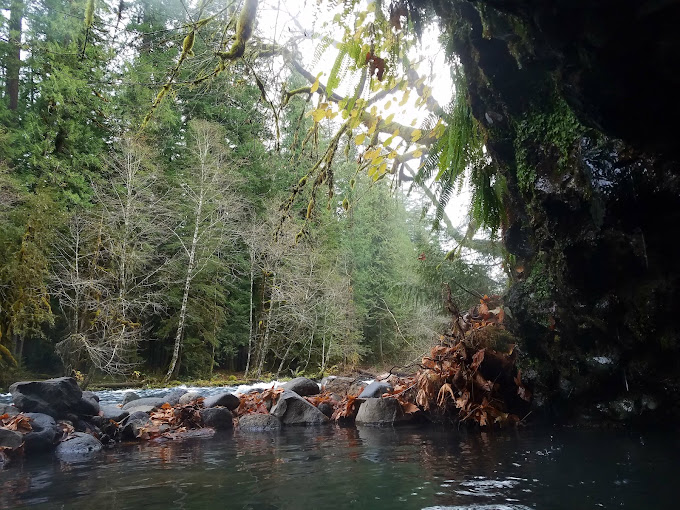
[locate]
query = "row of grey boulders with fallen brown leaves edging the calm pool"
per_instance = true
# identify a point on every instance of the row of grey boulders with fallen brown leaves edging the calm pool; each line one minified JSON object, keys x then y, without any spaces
{"x":57,"y":416}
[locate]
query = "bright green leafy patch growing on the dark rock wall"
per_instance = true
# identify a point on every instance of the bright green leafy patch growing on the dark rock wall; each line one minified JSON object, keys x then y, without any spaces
{"x":546,"y":134}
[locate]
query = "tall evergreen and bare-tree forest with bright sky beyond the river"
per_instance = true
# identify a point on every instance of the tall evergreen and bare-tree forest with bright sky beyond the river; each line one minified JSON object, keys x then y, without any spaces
{"x":180,"y":196}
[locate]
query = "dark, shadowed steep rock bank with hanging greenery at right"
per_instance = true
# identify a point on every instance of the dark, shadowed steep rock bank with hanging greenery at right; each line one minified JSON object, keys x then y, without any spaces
{"x":573,"y":97}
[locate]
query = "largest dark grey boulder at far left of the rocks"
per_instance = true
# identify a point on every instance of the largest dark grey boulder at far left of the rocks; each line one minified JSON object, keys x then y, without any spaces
{"x":54,"y":397}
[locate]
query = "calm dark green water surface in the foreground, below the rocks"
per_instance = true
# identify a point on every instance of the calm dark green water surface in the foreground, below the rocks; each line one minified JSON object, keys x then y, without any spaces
{"x":365,"y":468}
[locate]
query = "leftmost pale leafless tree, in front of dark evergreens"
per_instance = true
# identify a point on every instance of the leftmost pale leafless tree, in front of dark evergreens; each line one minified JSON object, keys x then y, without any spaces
{"x":107,"y":267}
